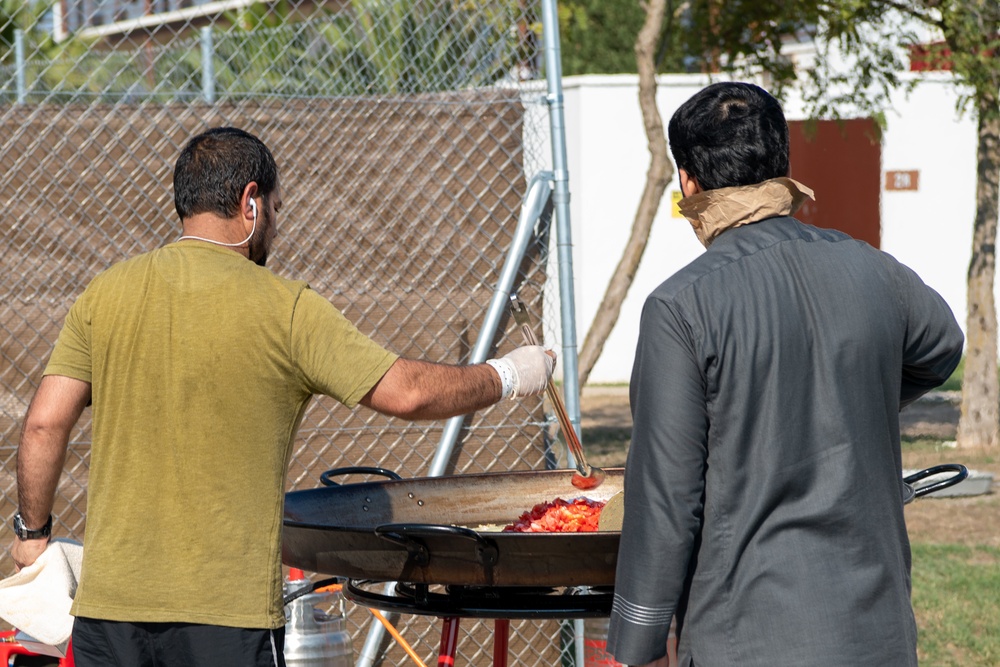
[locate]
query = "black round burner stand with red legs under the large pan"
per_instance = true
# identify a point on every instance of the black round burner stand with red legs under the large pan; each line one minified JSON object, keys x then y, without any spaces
{"x":499,"y":603}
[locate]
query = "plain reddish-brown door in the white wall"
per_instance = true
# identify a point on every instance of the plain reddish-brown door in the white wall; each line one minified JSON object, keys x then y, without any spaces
{"x":841,"y":162}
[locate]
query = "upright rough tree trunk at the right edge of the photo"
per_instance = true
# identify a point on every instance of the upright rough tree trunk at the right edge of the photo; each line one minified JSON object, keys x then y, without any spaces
{"x":979,"y":424}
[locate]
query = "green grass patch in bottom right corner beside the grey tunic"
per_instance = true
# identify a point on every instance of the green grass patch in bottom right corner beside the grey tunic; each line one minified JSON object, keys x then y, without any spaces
{"x":956,"y":596}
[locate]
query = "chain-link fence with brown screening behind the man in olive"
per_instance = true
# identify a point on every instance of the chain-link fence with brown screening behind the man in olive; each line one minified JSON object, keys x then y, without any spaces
{"x":405,"y":133}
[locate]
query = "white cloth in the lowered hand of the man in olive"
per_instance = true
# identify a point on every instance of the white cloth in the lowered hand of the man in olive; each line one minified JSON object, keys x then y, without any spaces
{"x":37,"y":599}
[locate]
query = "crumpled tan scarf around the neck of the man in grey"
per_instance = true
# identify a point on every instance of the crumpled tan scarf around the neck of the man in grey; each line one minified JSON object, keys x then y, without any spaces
{"x":712,"y":212}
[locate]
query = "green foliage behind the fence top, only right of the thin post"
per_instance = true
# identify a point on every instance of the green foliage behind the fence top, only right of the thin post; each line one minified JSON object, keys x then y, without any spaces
{"x":378,"y":47}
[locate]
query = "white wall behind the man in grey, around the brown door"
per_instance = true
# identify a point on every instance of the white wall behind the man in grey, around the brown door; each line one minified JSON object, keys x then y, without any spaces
{"x":930,"y":230}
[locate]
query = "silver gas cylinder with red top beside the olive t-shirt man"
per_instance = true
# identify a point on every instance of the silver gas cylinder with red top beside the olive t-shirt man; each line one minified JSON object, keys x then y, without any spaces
{"x":314,"y":636}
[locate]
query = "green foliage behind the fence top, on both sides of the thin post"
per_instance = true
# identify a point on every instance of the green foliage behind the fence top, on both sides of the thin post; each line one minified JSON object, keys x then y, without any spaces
{"x":373,"y":47}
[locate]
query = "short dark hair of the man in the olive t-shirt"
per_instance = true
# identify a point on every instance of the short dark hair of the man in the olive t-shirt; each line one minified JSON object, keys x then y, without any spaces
{"x":215,"y":167}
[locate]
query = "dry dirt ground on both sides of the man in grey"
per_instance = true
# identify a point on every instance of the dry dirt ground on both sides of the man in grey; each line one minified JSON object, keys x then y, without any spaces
{"x":928,"y":430}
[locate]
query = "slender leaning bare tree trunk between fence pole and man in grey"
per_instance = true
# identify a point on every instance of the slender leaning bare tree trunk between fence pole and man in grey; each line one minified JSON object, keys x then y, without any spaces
{"x":657,"y":178}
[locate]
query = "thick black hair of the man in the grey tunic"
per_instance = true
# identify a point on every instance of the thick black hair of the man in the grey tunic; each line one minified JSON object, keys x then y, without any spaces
{"x":730,"y":134}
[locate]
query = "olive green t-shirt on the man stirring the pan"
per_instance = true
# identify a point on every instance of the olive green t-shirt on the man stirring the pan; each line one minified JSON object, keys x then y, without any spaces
{"x":201,"y":364}
